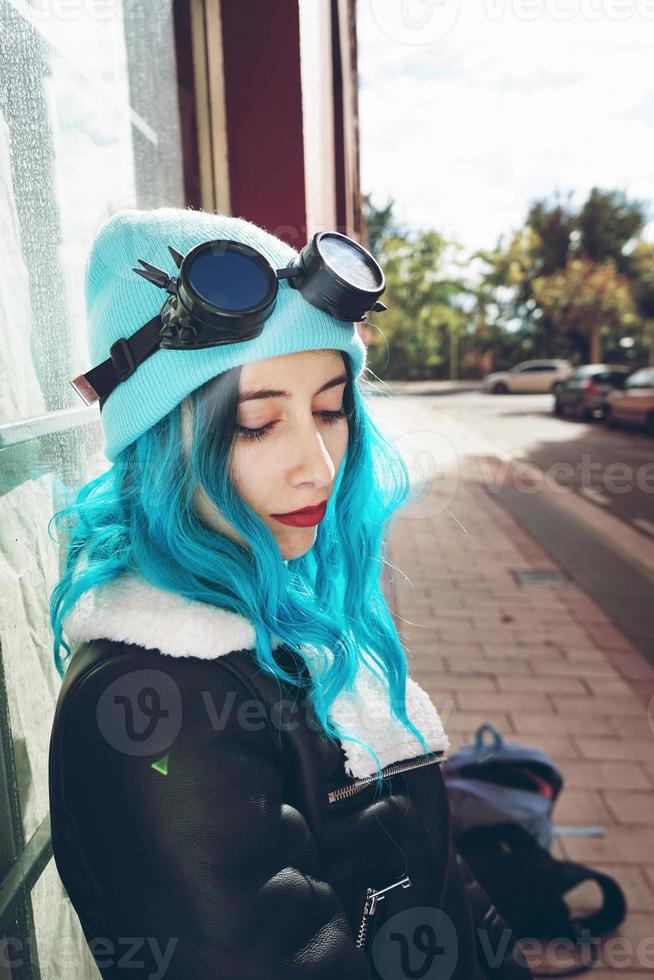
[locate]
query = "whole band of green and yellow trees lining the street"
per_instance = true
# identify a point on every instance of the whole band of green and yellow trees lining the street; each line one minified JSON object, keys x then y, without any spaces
{"x":567,"y":283}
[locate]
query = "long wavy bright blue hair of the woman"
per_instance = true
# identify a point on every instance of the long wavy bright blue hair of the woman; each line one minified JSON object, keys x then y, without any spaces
{"x":139,"y":516}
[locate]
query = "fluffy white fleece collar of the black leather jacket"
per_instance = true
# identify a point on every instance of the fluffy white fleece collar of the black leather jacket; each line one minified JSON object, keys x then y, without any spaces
{"x":132,"y":610}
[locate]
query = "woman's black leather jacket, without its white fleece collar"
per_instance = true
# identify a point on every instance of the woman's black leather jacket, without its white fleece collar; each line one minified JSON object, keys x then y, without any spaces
{"x":203,"y":828}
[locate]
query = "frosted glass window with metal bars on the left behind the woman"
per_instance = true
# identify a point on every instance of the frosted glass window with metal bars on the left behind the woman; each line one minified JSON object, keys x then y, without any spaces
{"x":89,"y":125}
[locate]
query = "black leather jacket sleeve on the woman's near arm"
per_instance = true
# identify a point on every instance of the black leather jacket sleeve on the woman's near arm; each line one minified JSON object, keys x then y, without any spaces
{"x":201,"y":861}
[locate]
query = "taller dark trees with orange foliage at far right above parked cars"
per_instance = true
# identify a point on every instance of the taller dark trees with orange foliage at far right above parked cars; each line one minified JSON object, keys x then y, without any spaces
{"x":569,"y":277}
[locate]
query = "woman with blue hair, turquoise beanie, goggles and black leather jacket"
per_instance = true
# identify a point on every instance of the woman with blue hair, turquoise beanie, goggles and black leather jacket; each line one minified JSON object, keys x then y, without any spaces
{"x":244,"y":780}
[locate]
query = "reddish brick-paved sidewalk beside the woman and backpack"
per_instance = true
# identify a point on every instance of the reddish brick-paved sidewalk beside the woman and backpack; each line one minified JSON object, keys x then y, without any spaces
{"x":548,"y":669}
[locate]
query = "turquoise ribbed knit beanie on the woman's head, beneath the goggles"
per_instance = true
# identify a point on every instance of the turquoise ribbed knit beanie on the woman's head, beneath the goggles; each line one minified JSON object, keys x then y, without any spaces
{"x":118,"y":302}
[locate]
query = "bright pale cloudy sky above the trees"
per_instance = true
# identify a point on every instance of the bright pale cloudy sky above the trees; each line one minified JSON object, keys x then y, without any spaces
{"x":471,"y":109}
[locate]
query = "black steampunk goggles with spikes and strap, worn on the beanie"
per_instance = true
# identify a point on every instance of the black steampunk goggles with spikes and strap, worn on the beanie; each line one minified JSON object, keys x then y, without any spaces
{"x":226,"y":290}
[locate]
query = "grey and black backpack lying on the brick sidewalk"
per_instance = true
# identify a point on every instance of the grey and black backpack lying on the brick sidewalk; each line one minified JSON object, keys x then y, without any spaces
{"x":501,"y":800}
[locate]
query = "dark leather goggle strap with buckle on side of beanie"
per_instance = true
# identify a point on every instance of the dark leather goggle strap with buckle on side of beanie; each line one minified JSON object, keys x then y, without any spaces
{"x":125,"y":356}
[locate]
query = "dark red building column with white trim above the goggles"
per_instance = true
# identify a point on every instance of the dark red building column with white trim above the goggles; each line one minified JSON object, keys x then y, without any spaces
{"x":291,"y":115}
